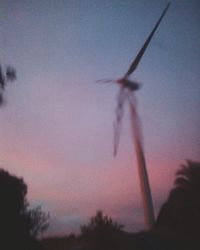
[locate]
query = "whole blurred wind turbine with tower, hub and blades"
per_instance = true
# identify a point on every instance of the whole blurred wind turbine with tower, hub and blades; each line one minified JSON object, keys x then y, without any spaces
{"x":126,"y":93}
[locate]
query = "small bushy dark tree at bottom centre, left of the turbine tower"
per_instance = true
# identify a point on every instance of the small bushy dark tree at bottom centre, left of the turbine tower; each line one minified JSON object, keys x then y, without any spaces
{"x":101,"y":232}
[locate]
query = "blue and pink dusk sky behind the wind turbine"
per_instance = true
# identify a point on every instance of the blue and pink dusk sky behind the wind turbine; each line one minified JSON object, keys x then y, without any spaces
{"x":56,"y":129}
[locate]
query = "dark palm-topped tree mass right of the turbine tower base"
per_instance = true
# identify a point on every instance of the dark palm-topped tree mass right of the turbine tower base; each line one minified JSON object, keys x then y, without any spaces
{"x":180,"y":214}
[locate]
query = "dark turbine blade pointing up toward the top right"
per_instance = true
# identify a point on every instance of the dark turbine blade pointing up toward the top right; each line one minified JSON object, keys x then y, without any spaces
{"x":142,"y":50}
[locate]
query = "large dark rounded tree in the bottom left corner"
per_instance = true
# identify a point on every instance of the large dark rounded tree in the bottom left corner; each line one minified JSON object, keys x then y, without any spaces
{"x":19,"y":224}
